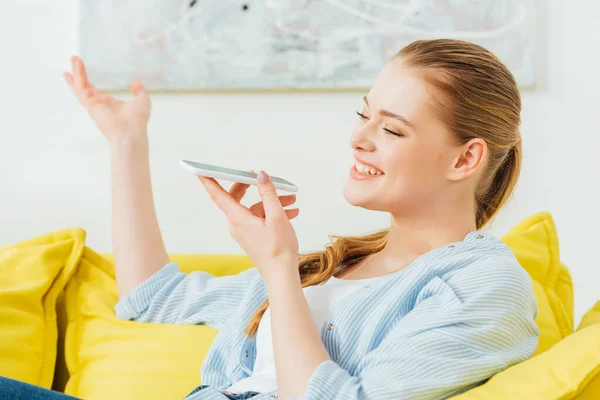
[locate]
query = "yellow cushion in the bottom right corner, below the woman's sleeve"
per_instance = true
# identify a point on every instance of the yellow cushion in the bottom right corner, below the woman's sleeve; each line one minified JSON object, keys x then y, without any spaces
{"x":569,"y":369}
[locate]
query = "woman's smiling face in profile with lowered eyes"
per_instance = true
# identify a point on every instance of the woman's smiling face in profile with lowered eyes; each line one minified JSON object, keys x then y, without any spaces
{"x":409,"y":150}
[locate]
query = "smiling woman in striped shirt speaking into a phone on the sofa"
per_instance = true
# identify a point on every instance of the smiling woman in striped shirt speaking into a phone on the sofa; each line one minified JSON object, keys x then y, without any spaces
{"x":425,"y":309}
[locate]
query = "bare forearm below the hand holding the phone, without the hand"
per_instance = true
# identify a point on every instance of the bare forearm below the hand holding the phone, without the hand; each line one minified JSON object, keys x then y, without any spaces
{"x":297,"y":343}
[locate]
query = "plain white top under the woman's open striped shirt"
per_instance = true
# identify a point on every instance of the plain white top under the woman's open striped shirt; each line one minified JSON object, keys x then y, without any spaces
{"x":321,"y":299}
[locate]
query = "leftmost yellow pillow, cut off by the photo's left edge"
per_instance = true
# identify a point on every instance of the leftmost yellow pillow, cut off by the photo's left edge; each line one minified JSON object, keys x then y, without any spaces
{"x":33,"y":273}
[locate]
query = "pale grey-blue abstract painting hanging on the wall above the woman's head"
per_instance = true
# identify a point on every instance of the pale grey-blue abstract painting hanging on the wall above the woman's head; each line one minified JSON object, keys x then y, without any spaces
{"x":285,"y":44}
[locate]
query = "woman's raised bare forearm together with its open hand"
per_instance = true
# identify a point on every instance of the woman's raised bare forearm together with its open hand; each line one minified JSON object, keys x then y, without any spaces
{"x":138,"y":247}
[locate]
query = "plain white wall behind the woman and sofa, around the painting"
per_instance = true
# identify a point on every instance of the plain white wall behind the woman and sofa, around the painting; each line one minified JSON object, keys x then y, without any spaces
{"x":54,"y":163}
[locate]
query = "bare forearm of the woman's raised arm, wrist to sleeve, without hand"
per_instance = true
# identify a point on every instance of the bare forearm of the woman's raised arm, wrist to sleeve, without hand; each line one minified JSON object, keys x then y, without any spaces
{"x":138,"y":246}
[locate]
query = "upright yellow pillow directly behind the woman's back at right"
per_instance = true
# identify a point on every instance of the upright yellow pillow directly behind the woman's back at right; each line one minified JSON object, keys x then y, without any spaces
{"x":535,"y":244}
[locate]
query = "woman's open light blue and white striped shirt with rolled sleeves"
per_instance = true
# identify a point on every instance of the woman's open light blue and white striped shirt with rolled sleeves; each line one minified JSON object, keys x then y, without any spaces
{"x":449,"y":321}
